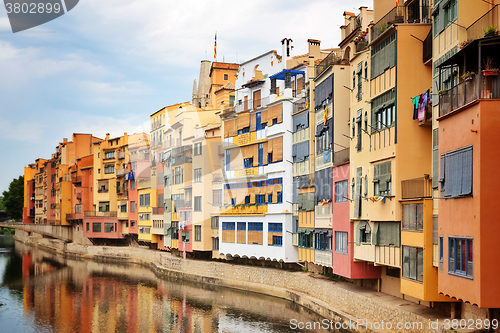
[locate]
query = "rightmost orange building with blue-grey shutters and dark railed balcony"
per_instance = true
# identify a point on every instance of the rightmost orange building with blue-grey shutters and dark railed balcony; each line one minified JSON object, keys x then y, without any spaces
{"x":465,"y":132}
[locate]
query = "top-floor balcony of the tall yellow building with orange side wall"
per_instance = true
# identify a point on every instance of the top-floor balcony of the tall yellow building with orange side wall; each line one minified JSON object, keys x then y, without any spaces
{"x":409,"y":14}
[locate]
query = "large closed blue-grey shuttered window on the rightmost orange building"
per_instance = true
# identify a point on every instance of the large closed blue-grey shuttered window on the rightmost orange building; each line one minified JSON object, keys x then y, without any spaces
{"x":456,"y":173}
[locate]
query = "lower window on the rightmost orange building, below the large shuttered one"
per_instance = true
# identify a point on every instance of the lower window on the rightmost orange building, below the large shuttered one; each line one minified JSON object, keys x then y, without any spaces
{"x":460,"y":259}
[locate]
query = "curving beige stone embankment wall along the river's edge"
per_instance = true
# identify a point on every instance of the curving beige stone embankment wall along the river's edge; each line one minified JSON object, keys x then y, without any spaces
{"x":357,"y":309}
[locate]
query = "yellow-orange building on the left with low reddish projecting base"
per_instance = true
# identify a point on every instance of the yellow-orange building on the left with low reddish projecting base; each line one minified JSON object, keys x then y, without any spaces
{"x":107,"y":220}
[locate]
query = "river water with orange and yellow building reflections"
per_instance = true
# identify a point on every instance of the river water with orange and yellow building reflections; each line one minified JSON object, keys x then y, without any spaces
{"x":42,"y":292}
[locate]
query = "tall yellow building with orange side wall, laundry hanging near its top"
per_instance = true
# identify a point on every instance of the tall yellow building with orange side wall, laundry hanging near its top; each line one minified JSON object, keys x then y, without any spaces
{"x":392,"y":206}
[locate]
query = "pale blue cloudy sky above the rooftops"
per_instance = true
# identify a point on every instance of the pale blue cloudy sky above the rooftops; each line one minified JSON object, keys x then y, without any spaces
{"x":106,"y":65}
